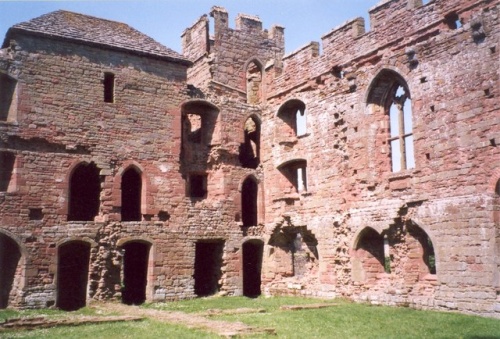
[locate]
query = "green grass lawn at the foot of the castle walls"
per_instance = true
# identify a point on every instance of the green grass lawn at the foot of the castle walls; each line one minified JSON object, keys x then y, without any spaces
{"x":344,"y":320}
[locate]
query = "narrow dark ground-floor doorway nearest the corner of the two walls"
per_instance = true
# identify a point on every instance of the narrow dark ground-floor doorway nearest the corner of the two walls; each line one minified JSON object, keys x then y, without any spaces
{"x":252,"y":267}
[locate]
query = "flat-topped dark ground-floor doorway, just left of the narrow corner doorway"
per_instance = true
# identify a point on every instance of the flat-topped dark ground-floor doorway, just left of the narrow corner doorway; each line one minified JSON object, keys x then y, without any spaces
{"x":207,"y":267}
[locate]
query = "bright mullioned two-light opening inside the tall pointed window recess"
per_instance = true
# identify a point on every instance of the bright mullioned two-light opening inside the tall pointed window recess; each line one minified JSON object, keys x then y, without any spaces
{"x":401,"y":130}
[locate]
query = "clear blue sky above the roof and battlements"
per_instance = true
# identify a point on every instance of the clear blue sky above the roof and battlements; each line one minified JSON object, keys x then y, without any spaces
{"x":304,"y":20}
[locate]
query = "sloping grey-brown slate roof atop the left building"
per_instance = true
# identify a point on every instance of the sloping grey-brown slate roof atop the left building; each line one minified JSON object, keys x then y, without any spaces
{"x":95,"y":31}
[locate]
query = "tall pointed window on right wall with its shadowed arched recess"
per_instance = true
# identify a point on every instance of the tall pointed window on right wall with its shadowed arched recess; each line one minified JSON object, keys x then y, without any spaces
{"x":389,"y":95}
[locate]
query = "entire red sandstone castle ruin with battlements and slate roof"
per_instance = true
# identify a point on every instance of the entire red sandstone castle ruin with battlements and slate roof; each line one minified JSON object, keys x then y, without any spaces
{"x":369,"y":170}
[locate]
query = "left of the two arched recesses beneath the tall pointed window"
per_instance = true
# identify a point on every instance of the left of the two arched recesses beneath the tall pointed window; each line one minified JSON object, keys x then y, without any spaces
{"x":367,"y":255}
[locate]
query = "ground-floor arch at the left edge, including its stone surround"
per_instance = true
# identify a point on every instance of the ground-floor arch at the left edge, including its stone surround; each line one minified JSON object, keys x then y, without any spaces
{"x":13,"y":257}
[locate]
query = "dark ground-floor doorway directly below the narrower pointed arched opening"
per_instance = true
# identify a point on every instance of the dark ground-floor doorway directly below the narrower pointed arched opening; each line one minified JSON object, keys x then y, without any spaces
{"x":135,"y":270}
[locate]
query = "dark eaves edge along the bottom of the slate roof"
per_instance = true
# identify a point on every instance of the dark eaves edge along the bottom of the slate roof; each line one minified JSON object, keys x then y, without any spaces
{"x":14,"y":30}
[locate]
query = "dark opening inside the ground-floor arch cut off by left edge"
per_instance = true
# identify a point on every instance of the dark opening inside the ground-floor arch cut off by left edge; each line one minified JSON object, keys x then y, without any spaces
{"x":10,"y":257}
